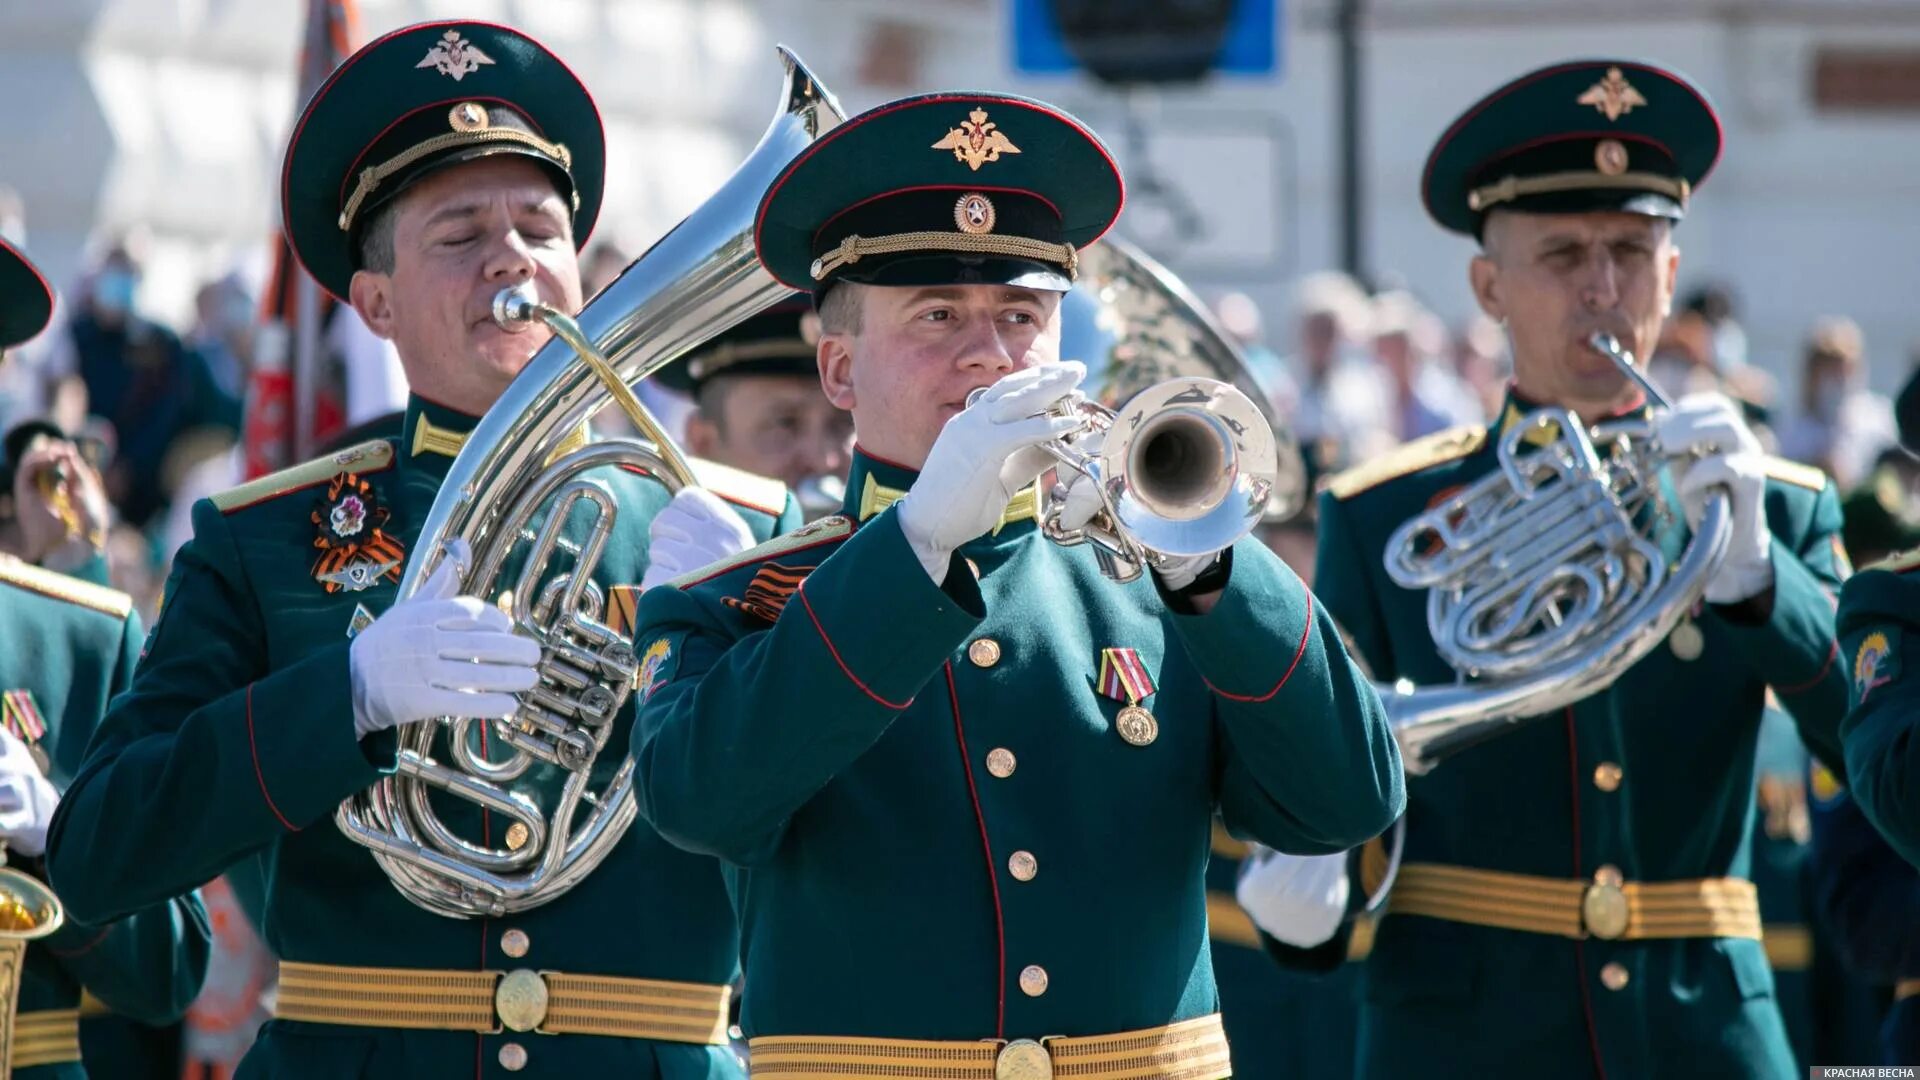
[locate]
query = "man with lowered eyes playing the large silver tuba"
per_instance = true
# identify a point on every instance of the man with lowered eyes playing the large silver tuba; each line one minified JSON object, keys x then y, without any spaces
{"x":439,"y":166}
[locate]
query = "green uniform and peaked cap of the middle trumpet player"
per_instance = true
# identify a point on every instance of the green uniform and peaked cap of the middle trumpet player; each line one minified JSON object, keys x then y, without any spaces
{"x":971,"y":816}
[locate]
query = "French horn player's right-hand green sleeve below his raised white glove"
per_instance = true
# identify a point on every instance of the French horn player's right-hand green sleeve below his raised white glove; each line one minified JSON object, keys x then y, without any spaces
{"x":1794,"y":647}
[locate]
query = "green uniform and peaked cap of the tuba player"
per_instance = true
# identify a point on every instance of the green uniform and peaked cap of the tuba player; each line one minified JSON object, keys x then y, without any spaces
{"x":237,"y":741}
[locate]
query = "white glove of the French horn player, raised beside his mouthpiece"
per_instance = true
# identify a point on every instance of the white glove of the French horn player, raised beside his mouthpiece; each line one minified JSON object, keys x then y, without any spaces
{"x":1735,"y":462}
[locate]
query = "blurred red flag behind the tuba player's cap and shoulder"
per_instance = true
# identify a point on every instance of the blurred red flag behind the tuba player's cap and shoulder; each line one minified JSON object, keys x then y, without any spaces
{"x":287,"y":408}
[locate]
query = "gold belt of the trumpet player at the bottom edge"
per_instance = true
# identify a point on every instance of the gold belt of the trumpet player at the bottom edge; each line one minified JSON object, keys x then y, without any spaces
{"x":1191,"y":1050}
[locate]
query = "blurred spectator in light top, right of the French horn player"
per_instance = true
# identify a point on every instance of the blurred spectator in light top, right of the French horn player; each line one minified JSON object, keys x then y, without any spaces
{"x":1842,"y":424}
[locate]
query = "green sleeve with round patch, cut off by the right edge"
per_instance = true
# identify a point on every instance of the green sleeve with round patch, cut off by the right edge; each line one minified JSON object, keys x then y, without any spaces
{"x":1881,"y":735}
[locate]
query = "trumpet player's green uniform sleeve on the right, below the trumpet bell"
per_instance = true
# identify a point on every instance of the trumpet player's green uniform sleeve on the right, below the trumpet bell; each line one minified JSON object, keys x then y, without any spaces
{"x":1310,"y":764}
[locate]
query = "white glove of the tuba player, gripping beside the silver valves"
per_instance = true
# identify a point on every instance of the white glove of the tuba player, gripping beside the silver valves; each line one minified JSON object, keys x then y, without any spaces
{"x":437,"y":654}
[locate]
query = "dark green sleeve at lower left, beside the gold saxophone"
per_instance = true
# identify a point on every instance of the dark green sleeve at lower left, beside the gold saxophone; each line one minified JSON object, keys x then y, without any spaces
{"x":147,"y":966}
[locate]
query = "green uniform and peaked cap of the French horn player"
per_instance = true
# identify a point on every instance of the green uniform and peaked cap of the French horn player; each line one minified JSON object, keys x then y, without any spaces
{"x":1572,"y":896}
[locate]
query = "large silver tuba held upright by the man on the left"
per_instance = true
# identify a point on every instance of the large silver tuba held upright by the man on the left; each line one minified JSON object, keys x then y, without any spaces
{"x":517,"y":481}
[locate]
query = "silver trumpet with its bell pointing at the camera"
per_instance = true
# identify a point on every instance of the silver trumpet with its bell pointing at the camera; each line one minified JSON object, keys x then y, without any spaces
{"x":1184,"y":468}
